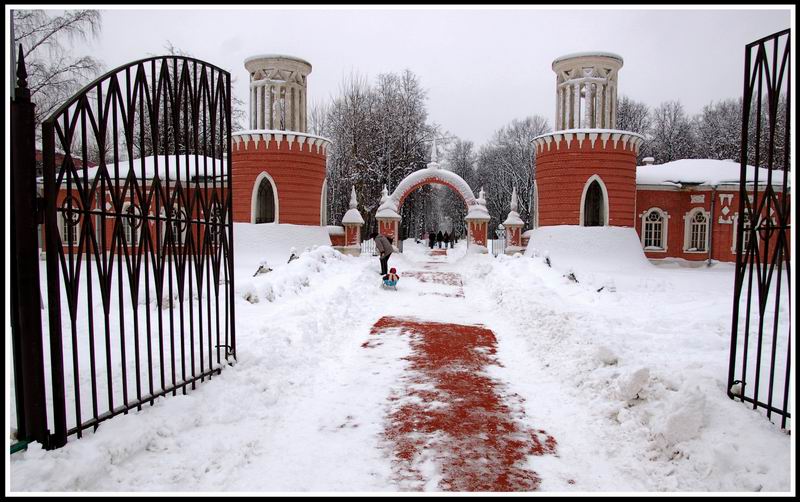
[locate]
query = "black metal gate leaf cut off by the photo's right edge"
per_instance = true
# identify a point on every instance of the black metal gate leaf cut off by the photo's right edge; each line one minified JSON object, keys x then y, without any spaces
{"x":760,"y":370}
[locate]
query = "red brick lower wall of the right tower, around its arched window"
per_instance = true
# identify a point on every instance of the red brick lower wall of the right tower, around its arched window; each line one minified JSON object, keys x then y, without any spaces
{"x":561,"y":174}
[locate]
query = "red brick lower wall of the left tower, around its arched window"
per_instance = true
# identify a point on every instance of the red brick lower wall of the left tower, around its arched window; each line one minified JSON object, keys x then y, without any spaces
{"x":297,"y":170}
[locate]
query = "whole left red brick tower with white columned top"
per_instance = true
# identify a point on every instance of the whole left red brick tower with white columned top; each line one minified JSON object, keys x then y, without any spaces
{"x":278,"y":168}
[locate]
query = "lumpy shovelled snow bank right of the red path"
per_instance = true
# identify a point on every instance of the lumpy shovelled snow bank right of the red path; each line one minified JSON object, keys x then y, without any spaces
{"x":631,"y":383}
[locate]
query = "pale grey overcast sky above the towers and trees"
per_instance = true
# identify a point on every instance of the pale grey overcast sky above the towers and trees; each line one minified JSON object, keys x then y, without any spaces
{"x":481,"y":68}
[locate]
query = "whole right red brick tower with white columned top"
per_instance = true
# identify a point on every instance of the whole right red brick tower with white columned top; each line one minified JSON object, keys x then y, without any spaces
{"x":586,"y":170}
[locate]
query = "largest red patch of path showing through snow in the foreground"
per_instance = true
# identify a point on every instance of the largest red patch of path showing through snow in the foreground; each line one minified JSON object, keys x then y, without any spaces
{"x":452,"y":413}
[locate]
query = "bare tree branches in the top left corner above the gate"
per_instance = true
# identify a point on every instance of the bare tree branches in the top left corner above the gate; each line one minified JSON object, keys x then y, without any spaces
{"x":54,"y":72}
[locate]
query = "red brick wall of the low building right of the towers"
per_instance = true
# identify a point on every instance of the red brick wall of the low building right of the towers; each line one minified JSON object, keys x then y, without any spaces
{"x":678,"y":203}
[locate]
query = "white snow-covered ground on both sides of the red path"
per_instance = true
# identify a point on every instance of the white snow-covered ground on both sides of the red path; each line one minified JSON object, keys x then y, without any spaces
{"x":630,"y":380}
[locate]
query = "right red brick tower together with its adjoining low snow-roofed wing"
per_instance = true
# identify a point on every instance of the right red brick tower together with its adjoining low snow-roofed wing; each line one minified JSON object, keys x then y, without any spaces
{"x":586,"y":174}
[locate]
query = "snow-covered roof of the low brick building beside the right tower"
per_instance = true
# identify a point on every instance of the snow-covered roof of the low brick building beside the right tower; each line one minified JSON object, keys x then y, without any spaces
{"x":701,"y":172}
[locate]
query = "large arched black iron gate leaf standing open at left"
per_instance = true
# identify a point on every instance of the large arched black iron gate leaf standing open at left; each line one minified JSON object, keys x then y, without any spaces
{"x":140,"y":296}
